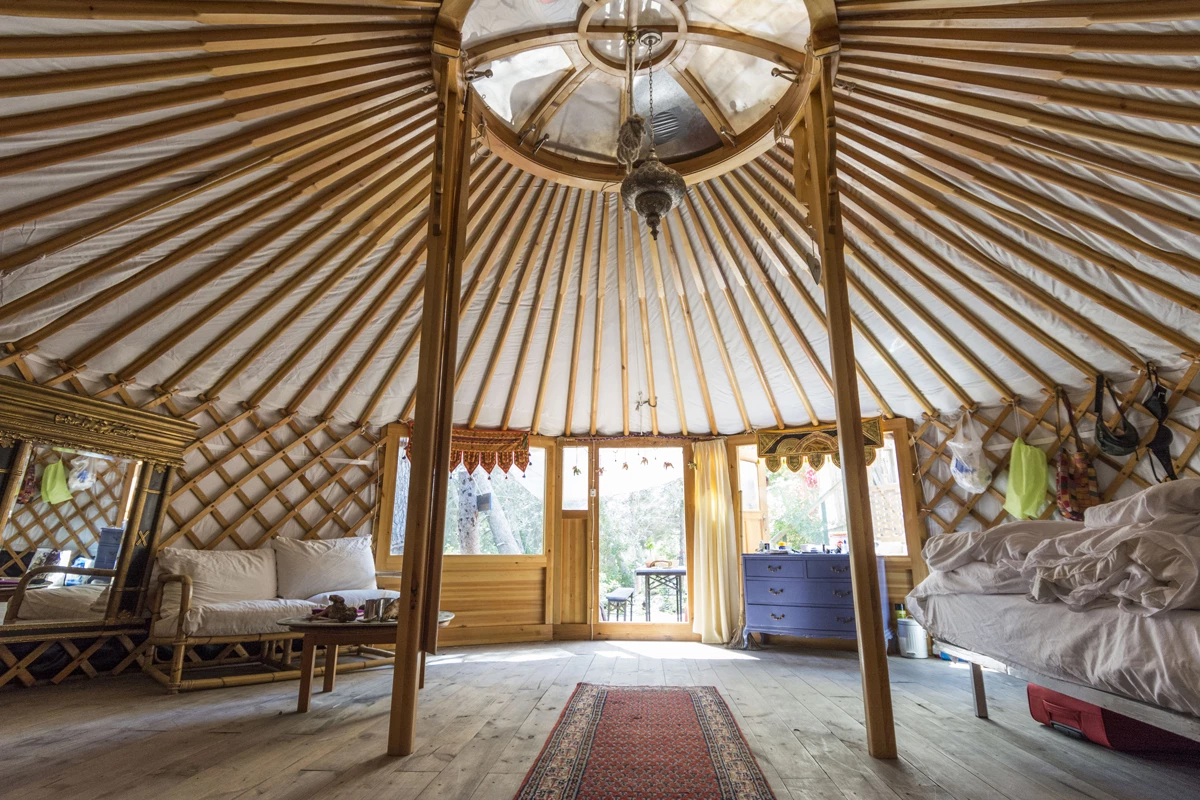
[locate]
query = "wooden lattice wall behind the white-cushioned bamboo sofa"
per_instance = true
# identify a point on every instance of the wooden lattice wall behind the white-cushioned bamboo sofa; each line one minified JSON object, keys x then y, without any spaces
{"x":253,"y":474}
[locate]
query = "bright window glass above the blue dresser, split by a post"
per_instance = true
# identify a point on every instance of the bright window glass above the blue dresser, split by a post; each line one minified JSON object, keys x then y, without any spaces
{"x":808,"y":508}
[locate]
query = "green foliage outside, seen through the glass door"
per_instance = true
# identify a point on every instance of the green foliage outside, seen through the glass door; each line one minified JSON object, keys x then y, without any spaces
{"x":637,"y":528}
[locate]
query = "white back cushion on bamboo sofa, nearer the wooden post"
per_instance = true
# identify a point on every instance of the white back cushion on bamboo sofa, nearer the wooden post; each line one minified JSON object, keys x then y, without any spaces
{"x":309,"y":568}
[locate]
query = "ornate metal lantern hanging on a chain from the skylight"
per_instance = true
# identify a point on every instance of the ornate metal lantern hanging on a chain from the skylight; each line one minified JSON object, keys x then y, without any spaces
{"x":652,"y":189}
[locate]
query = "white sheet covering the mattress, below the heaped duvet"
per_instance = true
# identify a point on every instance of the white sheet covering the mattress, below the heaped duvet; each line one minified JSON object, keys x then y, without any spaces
{"x":1150,"y":659}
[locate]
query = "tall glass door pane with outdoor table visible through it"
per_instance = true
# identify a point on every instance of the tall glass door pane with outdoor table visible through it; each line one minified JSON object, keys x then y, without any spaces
{"x":643,"y":536}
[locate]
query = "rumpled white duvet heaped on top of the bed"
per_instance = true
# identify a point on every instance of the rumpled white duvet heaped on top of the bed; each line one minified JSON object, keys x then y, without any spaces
{"x":1142,"y":554}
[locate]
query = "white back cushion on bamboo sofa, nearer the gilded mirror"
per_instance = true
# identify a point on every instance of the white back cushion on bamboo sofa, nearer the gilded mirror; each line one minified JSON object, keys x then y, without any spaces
{"x":219,"y":576}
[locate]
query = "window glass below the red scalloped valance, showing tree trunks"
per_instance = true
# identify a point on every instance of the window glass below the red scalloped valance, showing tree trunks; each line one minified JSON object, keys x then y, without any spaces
{"x":497,"y":514}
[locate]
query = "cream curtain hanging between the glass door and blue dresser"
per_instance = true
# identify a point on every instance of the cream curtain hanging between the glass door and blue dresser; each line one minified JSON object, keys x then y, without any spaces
{"x":717,"y":603}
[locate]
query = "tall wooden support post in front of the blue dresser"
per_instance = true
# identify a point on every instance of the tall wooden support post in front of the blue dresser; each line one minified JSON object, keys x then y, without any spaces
{"x":825,"y":212}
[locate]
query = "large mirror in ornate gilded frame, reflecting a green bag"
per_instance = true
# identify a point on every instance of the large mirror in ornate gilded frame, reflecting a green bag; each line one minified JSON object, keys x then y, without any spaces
{"x":85,"y":488}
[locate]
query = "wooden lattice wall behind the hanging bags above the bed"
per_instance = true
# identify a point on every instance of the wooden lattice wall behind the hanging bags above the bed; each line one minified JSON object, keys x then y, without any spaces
{"x":947,"y":508}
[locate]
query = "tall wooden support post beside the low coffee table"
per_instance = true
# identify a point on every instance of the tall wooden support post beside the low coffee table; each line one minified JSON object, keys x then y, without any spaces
{"x":422,"y":582}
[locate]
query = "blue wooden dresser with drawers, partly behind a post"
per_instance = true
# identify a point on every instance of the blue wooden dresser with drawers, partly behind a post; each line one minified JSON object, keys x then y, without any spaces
{"x":805,"y":596}
